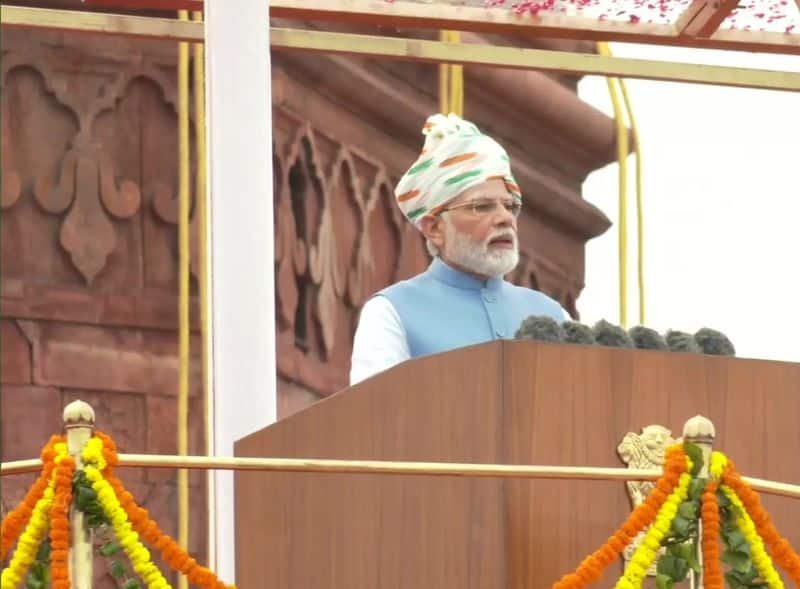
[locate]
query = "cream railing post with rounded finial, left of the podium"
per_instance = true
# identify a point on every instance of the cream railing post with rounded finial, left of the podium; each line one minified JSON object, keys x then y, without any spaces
{"x":79,"y":426}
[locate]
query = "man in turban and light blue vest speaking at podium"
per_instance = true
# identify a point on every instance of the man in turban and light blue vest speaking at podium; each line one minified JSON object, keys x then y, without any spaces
{"x":461,"y":195}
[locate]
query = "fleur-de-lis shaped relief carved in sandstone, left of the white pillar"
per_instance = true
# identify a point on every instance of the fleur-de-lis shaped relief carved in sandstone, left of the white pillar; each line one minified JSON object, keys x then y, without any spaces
{"x":85,"y":188}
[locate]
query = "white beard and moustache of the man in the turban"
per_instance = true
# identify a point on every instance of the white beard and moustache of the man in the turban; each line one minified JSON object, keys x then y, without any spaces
{"x":476,"y":257}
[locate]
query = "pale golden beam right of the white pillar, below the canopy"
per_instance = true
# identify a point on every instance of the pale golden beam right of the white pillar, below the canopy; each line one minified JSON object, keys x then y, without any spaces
{"x":536,"y":59}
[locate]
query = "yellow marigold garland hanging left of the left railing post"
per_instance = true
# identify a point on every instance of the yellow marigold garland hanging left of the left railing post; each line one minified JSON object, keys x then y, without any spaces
{"x":28,"y":543}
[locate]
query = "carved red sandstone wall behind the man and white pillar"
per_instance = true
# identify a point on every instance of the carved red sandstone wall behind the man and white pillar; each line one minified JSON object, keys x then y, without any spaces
{"x":88,"y":286}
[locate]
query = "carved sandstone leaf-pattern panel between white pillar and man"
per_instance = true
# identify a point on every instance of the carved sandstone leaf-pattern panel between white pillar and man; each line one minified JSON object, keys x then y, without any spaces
{"x":337,"y":240}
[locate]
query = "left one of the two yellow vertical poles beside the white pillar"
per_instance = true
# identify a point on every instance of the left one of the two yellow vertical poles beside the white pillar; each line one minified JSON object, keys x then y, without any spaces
{"x":183,"y":292}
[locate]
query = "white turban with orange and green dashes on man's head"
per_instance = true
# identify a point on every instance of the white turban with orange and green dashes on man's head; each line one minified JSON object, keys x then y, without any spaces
{"x":456,"y":156}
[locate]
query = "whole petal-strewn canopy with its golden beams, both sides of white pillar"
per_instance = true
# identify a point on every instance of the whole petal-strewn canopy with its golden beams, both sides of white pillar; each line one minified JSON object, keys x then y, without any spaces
{"x":770,"y":26}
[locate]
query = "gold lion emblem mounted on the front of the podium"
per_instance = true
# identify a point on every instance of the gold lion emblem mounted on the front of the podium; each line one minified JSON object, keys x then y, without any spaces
{"x":643,"y":451}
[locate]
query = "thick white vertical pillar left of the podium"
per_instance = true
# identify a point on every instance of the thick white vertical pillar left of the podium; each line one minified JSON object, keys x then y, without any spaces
{"x":241,"y":242}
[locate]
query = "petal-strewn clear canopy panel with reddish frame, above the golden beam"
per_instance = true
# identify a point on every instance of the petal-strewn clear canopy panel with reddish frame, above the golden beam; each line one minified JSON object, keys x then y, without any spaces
{"x":755,"y":25}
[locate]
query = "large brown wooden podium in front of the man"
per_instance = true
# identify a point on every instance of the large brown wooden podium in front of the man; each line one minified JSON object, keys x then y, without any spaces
{"x":501,"y":402}
